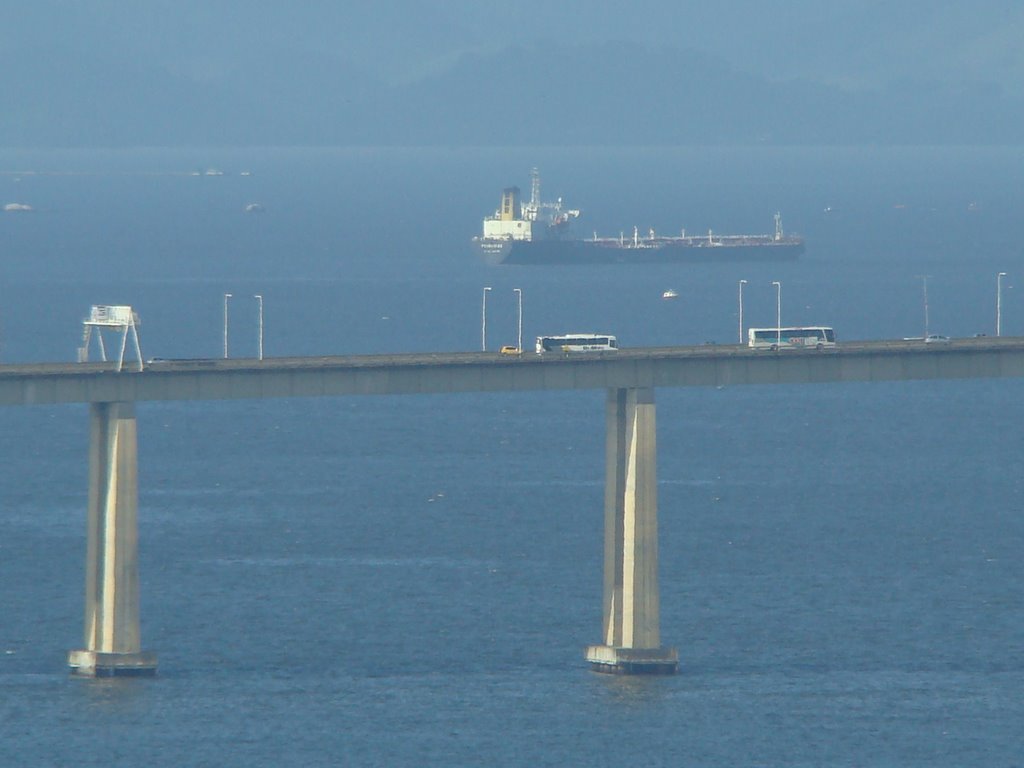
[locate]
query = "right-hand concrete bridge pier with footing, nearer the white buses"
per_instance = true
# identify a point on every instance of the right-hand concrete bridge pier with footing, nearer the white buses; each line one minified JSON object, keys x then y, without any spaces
{"x":632,"y":633}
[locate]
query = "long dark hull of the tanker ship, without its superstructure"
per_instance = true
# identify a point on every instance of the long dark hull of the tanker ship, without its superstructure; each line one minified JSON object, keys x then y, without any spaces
{"x":618,"y":252}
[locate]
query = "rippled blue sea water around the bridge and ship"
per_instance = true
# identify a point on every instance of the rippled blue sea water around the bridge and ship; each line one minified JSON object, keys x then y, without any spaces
{"x":412,"y":580}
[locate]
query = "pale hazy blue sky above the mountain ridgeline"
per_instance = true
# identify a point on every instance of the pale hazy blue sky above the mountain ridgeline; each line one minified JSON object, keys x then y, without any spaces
{"x":856,"y":42}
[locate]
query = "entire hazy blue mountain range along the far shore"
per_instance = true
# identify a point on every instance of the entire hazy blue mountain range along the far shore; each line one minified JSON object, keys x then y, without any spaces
{"x":554,"y":95}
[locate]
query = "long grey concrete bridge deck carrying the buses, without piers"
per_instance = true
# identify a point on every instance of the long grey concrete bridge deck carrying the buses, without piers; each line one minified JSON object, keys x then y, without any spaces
{"x":477,"y":372}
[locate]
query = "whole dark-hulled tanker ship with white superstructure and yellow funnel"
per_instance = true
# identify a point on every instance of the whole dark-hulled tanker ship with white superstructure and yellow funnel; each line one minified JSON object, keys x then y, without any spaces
{"x":536,"y":233}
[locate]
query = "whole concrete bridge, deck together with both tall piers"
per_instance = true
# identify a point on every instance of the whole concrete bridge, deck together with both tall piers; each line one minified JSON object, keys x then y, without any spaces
{"x":631,"y":632}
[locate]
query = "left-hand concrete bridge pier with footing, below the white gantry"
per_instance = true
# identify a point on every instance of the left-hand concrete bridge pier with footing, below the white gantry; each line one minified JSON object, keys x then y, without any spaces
{"x":113,"y":646}
